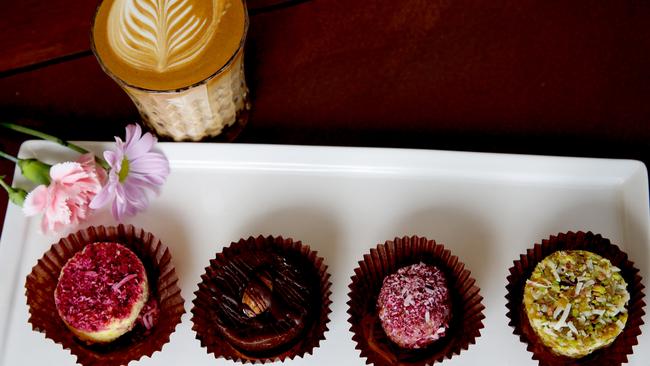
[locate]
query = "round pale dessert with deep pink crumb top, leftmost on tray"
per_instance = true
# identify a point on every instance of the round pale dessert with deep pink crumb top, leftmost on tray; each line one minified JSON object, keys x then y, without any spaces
{"x":101,"y":291}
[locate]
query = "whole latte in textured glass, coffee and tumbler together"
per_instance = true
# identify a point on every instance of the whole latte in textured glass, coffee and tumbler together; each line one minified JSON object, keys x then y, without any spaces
{"x":180,"y":61}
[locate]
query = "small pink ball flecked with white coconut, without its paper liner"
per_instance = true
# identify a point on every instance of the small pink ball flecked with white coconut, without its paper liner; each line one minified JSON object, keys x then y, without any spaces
{"x":414,"y":306}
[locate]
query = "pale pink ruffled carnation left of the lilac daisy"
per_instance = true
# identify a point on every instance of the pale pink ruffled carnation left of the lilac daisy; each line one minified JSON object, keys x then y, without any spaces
{"x":66,"y":200}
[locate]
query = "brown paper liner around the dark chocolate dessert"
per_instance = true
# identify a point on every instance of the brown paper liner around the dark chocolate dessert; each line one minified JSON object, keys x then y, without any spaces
{"x":204,"y":313}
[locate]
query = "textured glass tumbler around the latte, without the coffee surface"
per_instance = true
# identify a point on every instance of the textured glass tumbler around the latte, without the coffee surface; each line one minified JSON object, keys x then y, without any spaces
{"x":215,"y":108}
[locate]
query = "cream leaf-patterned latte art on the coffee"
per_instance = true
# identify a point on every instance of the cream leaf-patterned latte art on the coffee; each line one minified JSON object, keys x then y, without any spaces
{"x":160,"y":35}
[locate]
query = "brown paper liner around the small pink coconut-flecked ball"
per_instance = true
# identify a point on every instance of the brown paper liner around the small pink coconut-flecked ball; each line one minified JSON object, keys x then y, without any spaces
{"x":385,"y":259}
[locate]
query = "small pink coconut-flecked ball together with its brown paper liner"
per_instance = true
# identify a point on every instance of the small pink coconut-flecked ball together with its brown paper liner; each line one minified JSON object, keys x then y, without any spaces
{"x":412,"y":302}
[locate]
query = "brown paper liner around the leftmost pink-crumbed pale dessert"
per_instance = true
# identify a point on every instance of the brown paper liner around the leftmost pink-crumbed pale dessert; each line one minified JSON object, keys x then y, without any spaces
{"x":163,"y":282}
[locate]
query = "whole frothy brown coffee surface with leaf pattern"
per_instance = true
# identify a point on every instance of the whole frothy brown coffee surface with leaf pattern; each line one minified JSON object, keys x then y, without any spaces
{"x":167,"y":44}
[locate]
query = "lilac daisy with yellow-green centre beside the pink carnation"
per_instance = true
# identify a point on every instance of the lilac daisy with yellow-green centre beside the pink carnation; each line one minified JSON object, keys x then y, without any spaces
{"x":135,"y":170}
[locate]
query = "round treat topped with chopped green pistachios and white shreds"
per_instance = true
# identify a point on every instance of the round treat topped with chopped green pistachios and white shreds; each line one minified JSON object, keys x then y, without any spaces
{"x":576,"y":302}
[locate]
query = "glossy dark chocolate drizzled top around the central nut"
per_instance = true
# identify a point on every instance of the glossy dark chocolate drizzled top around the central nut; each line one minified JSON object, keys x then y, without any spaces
{"x":288,"y":310}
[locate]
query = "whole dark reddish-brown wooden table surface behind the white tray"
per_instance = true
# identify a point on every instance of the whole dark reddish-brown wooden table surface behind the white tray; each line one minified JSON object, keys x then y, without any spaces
{"x":517,"y":76}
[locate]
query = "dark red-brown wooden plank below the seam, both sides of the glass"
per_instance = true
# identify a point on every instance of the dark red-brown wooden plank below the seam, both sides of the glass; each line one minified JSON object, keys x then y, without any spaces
{"x":521,"y":67}
